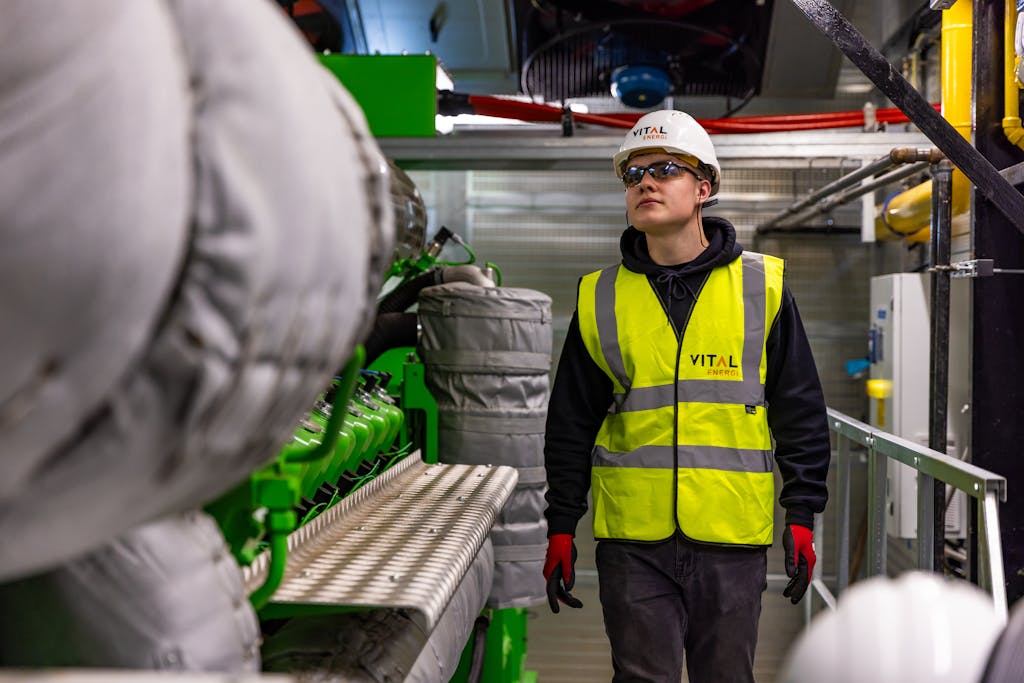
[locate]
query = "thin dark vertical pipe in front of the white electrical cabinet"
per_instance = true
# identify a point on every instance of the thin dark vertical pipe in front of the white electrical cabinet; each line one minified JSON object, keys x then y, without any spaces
{"x":943,"y":197}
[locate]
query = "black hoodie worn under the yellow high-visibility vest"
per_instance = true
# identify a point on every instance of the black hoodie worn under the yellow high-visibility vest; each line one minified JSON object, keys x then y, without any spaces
{"x":582,"y":393}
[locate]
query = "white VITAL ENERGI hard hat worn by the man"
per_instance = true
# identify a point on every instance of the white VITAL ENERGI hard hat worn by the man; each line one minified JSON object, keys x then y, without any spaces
{"x":676,"y":134}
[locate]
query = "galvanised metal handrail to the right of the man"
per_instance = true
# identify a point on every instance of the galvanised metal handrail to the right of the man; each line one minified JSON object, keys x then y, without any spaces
{"x":988,"y":489}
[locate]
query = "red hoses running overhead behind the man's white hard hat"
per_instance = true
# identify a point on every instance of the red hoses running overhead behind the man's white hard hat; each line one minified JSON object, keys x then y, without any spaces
{"x":510,"y":109}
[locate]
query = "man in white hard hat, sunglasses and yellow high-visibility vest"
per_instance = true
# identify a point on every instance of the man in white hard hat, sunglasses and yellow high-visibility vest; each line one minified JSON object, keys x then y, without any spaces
{"x":680,"y":368}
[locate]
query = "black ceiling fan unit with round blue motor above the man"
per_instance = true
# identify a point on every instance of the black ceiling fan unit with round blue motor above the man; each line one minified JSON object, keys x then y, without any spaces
{"x":648,"y":51}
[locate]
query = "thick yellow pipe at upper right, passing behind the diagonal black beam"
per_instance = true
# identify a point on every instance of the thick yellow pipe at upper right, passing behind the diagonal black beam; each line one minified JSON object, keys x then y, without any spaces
{"x":910,"y":214}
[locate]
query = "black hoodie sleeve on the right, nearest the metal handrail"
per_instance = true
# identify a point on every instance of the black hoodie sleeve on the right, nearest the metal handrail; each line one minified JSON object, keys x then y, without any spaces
{"x":797,"y":417}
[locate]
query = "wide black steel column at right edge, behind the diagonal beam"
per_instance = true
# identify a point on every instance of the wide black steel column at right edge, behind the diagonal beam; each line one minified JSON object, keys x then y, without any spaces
{"x":998,"y":364}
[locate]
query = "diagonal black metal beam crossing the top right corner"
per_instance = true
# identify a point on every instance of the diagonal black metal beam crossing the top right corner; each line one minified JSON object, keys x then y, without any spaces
{"x":893,"y":86}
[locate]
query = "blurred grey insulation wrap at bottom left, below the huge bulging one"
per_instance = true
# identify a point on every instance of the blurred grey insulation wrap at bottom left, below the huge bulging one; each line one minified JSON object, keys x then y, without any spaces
{"x":167,"y":595}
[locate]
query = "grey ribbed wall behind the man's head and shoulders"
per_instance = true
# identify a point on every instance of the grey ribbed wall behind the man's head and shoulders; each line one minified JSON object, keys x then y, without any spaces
{"x":547,"y":229}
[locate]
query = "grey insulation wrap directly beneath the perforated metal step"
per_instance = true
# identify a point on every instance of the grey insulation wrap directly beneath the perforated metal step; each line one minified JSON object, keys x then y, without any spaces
{"x":382,"y":646}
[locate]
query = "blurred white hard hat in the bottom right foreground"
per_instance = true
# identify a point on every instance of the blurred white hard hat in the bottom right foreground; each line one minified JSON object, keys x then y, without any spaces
{"x":920,"y":628}
